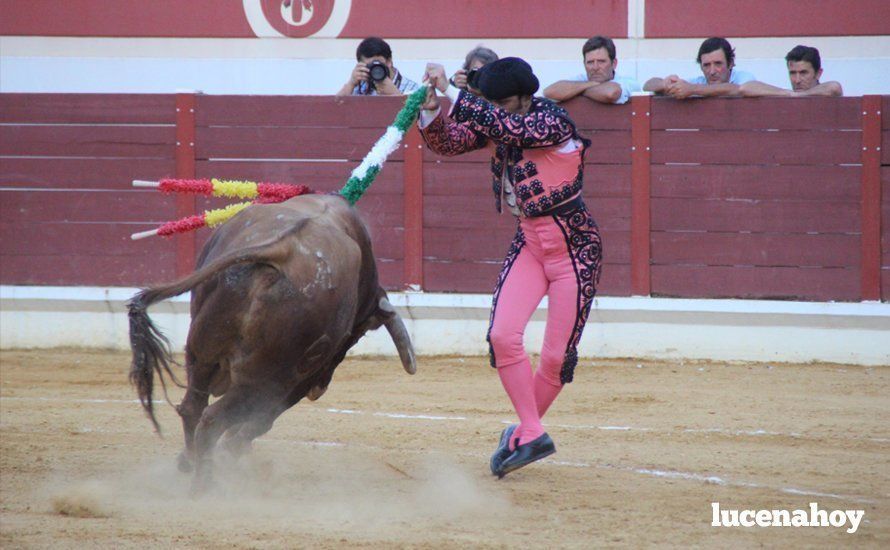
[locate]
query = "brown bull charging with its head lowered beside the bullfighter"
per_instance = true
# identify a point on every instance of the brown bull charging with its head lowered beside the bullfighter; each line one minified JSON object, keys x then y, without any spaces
{"x":281,"y":292}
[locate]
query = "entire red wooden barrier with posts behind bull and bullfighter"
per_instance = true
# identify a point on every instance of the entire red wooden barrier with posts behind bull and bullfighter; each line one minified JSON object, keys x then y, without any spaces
{"x":767,"y":198}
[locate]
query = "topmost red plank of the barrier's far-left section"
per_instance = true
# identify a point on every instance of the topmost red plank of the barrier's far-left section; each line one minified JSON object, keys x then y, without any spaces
{"x":32,"y":108}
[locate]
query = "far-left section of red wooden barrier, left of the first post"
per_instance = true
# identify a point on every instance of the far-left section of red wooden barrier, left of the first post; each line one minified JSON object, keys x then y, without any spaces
{"x":66,"y":205}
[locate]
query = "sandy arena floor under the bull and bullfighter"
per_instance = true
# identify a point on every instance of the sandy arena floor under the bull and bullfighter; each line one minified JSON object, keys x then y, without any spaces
{"x":387,"y":460}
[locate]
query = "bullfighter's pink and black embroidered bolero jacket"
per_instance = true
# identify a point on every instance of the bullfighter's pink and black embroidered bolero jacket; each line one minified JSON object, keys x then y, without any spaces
{"x":532,"y":148}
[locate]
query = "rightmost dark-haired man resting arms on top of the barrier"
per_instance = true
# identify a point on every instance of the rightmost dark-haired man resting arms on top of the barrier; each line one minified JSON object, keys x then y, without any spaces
{"x":804,"y":71}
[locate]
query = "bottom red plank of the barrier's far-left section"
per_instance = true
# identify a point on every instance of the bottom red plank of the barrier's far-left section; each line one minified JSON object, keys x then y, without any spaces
{"x":72,"y":270}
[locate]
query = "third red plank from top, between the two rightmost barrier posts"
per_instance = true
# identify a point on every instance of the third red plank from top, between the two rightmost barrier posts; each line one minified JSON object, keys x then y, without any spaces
{"x":829,"y":183}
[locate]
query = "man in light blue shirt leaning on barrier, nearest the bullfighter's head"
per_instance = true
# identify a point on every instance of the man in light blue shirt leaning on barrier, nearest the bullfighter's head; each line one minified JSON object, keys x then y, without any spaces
{"x":600,"y":82}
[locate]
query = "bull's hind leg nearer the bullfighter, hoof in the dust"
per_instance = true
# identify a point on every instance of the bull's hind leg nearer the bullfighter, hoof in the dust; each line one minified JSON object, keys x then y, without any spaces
{"x":239,"y":404}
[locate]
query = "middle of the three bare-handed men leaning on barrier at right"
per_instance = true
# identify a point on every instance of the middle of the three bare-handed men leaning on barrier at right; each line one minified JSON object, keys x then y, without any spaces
{"x":719,"y":75}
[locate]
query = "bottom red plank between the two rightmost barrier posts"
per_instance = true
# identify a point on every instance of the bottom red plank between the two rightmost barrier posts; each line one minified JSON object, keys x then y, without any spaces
{"x":775,"y":283}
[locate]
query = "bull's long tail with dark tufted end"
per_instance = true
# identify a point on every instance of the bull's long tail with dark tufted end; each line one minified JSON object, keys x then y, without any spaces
{"x":151,"y":349}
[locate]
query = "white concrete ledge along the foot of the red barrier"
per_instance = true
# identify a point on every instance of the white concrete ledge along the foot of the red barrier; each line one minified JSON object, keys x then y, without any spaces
{"x":728,"y":330}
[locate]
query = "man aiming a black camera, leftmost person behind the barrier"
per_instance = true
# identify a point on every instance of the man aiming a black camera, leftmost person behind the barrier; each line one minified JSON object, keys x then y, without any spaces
{"x":369,"y":77}
